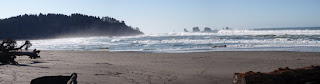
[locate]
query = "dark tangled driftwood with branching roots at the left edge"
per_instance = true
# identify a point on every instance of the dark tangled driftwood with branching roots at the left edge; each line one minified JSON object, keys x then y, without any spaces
{"x":9,"y":51}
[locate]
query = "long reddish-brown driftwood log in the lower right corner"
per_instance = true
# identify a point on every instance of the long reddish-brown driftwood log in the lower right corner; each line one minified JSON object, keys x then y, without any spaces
{"x":307,"y":75}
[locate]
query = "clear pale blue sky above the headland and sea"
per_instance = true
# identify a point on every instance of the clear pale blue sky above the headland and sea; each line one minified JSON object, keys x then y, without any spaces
{"x":155,"y":16}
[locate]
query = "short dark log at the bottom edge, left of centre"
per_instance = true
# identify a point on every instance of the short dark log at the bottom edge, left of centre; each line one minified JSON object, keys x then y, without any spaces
{"x":56,"y":79}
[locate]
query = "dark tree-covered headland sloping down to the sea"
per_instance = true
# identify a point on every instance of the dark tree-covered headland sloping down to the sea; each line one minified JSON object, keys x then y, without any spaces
{"x":58,"y":25}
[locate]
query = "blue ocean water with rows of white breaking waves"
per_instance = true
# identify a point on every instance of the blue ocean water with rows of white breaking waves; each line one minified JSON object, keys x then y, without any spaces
{"x":271,"y":39}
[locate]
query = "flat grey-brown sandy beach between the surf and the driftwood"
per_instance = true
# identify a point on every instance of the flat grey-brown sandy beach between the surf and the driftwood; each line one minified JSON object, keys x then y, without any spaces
{"x":102,"y":67}
